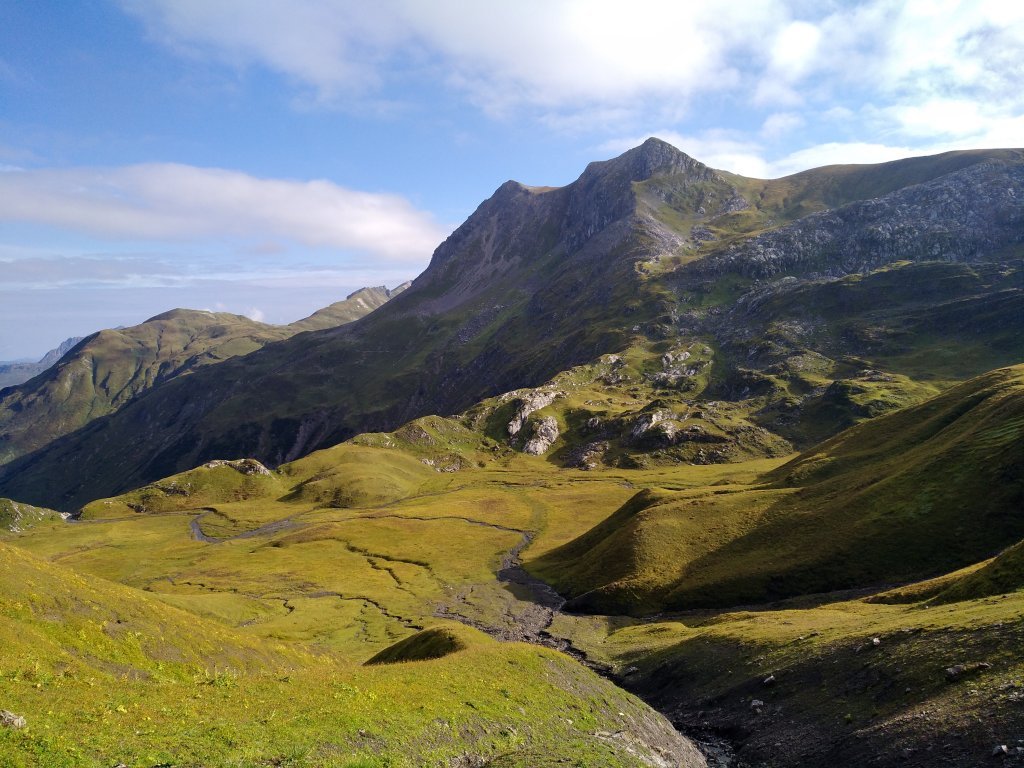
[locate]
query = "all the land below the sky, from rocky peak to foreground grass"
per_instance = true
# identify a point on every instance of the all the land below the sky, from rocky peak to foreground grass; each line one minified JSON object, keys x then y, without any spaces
{"x":665,"y":467}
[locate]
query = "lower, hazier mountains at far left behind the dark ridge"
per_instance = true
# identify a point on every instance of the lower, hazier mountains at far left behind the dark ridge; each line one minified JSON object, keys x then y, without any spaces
{"x":101,"y":374}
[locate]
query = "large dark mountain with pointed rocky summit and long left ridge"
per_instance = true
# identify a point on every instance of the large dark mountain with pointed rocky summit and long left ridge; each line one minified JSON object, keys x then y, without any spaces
{"x":824,"y":298}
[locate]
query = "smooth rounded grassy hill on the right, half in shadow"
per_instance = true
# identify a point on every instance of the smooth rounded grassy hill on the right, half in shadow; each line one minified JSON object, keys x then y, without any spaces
{"x":917,"y":493}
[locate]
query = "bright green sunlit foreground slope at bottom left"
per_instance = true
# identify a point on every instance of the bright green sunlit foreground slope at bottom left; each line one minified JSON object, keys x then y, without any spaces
{"x":106,"y":675}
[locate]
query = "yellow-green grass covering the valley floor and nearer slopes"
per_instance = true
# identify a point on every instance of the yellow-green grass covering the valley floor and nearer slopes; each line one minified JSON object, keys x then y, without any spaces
{"x":357,"y":551}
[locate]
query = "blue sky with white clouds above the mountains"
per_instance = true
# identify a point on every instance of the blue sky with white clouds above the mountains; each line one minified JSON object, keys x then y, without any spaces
{"x":269,"y":157}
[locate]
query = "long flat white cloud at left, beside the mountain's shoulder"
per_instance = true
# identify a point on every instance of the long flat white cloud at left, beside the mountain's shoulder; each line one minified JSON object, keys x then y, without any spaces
{"x":180,"y":202}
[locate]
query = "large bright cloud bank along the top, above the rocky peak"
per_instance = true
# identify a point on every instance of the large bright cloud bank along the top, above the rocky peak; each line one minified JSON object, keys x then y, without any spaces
{"x":908,"y":76}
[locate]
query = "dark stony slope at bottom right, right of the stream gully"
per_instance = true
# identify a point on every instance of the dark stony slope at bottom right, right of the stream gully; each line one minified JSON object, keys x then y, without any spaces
{"x":837,"y":698}
